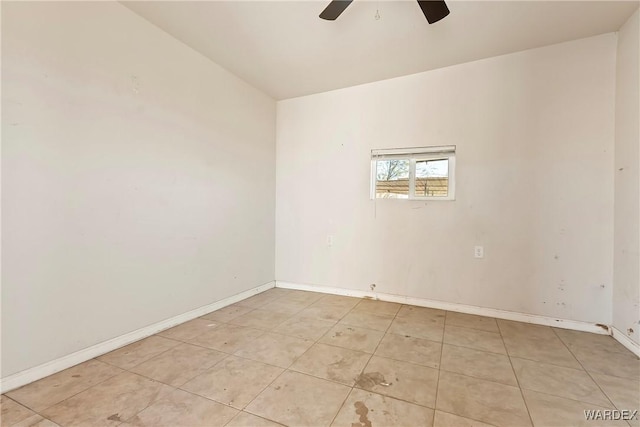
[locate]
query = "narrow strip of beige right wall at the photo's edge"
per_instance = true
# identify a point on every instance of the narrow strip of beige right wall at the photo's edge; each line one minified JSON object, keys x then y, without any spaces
{"x":626,"y":291}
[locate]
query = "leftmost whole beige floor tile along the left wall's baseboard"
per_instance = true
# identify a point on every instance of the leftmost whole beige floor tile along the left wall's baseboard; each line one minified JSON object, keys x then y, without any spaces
{"x":55,"y":388}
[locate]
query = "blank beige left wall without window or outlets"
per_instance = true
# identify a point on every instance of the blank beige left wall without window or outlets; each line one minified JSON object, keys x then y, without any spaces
{"x":137,"y":179}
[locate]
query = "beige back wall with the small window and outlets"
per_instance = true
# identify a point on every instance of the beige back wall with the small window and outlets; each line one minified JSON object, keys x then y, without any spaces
{"x":534,"y":134}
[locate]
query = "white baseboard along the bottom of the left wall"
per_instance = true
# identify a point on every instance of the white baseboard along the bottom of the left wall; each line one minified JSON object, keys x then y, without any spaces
{"x":38,"y":372}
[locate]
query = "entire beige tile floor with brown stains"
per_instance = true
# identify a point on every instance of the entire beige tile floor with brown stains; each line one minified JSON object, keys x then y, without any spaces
{"x":296,"y":358}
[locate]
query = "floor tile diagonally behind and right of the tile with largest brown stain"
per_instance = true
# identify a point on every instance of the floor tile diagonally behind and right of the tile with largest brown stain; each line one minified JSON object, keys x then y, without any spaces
{"x":478,"y":364}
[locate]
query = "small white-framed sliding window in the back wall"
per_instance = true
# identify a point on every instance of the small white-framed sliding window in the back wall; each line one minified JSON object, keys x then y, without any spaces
{"x":415,"y":173}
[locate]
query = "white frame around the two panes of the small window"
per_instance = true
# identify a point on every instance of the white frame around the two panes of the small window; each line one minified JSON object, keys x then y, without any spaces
{"x":416,"y":154}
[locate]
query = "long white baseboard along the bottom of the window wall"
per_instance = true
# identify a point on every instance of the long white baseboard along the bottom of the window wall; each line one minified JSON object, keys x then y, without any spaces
{"x":460,"y":308}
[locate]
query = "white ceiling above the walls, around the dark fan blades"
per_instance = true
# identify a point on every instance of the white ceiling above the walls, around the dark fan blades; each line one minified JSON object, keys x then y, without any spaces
{"x":284,"y":49}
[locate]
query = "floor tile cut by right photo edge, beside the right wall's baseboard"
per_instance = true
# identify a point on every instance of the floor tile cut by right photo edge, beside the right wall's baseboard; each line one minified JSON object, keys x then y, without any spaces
{"x":600,"y":361}
